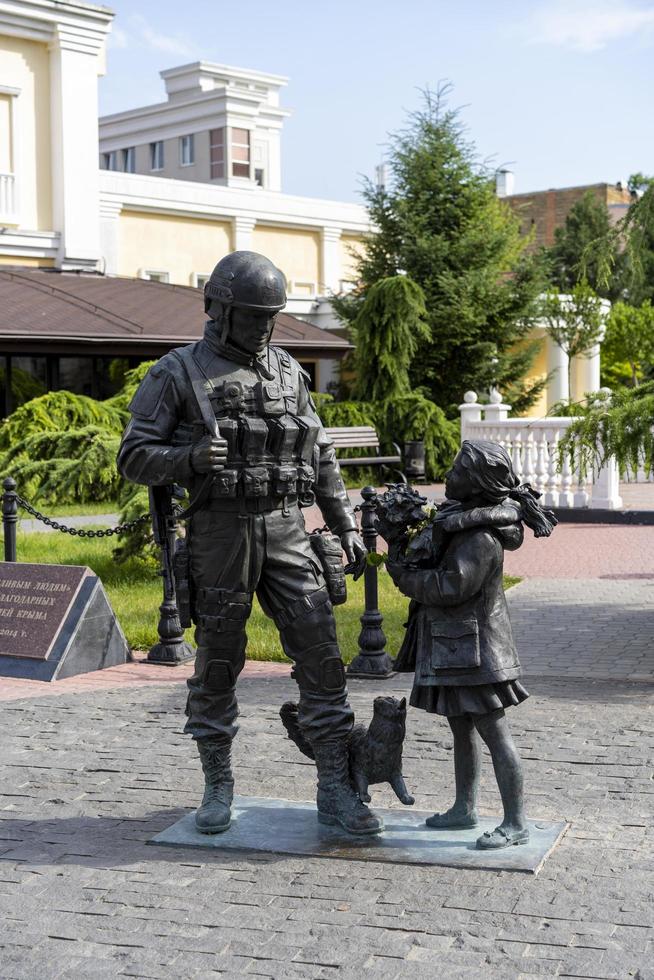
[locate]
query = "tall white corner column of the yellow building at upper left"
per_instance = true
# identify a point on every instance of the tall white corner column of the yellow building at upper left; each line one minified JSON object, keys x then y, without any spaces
{"x":74,"y":68}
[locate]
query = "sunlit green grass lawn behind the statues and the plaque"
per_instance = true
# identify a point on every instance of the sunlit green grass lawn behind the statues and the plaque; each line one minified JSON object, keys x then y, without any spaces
{"x":135,"y":593}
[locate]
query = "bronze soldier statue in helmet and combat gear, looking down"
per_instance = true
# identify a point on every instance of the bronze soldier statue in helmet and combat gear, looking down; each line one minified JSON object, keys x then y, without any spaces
{"x":231,"y":418}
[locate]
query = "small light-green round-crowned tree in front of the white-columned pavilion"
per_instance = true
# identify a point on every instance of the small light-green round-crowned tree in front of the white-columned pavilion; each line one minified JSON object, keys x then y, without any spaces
{"x":575,"y":322}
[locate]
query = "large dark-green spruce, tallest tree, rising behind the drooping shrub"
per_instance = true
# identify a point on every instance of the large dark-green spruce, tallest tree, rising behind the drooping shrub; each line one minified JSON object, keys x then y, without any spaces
{"x":441,"y":222}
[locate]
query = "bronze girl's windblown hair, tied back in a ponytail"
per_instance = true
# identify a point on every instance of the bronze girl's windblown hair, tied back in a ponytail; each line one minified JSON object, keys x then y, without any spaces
{"x":489,"y":470}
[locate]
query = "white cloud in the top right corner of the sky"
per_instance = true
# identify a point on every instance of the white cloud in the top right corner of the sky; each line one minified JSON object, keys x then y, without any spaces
{"x":587,"y":25}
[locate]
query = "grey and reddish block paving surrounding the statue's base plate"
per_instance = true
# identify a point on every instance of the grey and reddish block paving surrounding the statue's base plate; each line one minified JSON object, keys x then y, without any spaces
{"x":93,"y":767}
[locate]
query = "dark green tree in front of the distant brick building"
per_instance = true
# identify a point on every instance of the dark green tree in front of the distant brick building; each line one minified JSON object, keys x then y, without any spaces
{"x":586,"y":222}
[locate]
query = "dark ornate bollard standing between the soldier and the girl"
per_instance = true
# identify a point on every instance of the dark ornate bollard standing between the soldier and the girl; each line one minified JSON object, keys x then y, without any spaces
{"x":372,"y":660}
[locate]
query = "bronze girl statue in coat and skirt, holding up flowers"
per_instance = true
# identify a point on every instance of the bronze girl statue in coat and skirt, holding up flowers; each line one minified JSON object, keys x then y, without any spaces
{"x":459,"y":640}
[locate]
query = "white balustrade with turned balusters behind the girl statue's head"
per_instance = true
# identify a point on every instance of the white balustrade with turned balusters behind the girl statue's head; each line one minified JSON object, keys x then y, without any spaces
{"x":533,"y":446}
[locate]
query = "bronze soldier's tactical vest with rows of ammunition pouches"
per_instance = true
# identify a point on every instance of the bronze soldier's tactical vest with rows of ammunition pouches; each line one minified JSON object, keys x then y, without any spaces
{"x":271,"y":449}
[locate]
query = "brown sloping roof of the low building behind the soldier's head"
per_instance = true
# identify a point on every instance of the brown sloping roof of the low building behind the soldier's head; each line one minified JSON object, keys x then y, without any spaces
{"x":75,"y":313}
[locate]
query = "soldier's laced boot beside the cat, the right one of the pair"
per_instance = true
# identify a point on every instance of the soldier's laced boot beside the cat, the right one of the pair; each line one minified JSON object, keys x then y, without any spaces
{"x":337,"y":800}
